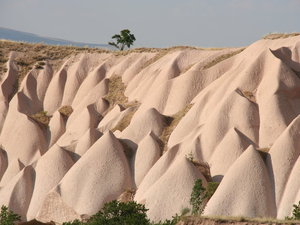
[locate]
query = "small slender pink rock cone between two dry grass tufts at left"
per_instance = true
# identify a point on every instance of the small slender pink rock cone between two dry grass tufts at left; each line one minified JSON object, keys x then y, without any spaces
{"x":57,"y":127}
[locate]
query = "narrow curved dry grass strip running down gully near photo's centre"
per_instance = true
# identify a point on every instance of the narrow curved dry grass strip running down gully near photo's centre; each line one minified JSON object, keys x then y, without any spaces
{"x":172,"y":122}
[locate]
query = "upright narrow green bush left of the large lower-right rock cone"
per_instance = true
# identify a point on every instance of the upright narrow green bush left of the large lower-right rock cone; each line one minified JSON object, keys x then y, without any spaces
{"x":198,"y":196}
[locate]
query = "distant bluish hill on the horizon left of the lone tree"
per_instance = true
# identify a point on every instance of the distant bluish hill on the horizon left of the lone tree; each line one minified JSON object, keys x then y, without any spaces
{"x":15,"y":35}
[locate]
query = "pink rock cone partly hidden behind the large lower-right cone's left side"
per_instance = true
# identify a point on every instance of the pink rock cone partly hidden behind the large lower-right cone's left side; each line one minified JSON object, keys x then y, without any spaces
{"x":227,"y":152}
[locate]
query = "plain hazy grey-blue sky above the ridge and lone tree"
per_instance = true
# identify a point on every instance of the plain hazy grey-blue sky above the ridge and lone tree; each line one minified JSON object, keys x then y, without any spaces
{"x":155,"y":23}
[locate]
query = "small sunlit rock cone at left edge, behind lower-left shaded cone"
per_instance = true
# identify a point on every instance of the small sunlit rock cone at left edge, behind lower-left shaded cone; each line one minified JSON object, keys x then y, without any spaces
{"x":13,"y":168}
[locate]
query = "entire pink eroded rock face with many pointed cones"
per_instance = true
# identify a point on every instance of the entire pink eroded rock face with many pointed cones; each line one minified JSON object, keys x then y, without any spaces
{"x":120,"y":124}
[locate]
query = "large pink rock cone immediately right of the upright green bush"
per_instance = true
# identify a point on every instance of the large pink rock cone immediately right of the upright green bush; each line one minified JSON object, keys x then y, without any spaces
{"x":246,"y":189}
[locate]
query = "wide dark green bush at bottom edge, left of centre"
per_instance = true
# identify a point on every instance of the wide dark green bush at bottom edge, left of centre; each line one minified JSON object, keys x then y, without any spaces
{"x":120,"y":213}
